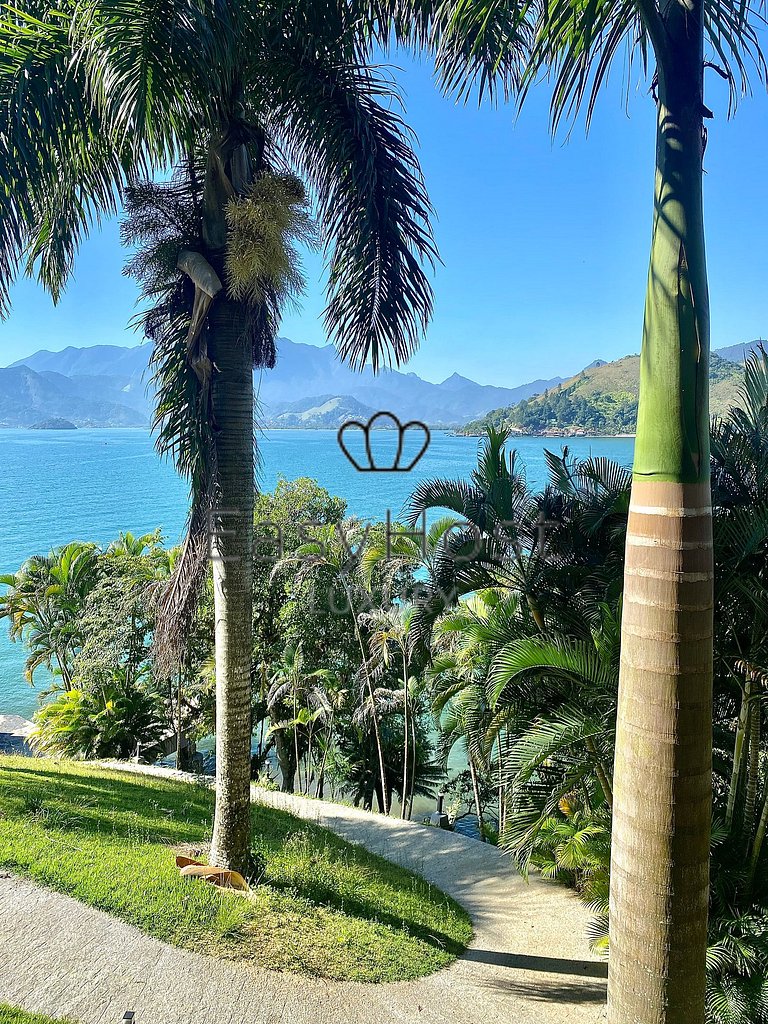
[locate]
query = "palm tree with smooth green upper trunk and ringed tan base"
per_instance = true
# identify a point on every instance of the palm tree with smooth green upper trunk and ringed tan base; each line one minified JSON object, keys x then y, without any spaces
{"x":662,"y":831}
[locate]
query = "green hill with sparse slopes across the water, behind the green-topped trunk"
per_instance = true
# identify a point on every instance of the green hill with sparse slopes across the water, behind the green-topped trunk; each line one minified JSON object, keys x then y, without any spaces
{"x":603,"y":400}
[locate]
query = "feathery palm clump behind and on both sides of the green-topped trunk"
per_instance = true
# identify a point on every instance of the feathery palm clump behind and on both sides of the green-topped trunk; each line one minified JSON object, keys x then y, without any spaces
{"x":531,"y":670}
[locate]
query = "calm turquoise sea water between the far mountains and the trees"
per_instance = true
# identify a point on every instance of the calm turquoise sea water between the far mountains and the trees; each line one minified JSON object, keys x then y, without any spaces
{"x":91,"y":485}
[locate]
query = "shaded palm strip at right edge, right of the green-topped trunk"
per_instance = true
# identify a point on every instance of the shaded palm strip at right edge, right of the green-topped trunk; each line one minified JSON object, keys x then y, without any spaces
{"x":739,"y":952}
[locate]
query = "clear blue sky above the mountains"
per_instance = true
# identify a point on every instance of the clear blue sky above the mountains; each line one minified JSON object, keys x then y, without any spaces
{"x":545,"y":245}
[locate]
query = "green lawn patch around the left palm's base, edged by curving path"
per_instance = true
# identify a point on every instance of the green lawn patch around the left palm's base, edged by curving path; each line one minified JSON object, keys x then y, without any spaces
{"x":325,"y":908}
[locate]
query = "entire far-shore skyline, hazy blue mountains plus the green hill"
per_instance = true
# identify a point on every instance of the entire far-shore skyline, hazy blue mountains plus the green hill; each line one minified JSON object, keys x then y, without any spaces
{"x":108,"y":387}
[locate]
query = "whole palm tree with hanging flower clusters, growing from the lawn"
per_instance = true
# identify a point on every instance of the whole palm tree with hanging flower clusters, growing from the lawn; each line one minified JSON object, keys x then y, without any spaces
{"x":108,"y":91}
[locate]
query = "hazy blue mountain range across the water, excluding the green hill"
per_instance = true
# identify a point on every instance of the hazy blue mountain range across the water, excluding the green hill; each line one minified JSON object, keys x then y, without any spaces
{"x":107,"y":387}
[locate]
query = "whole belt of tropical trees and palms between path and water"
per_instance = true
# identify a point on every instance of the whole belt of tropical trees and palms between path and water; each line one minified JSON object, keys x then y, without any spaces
{"x":495,"y":644}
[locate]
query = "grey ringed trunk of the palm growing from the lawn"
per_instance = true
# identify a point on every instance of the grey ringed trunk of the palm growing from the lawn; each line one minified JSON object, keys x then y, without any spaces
{"x":232,"y":550}
